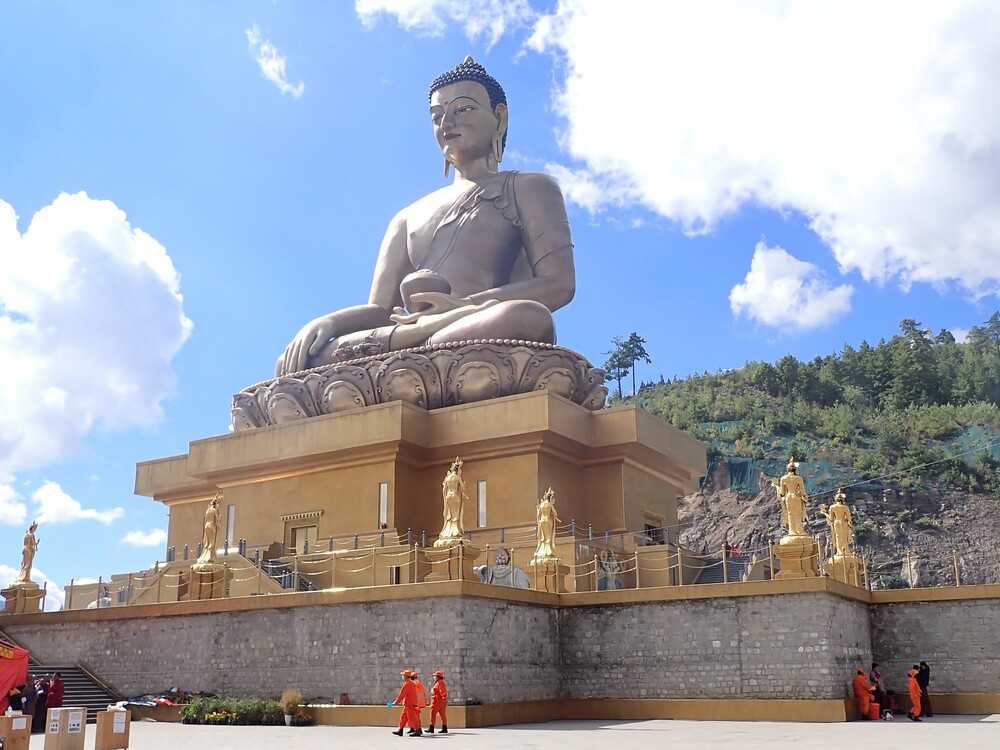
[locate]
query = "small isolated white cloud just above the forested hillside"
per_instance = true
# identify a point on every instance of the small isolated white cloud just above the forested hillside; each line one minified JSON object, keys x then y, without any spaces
{"x":782,"y":291}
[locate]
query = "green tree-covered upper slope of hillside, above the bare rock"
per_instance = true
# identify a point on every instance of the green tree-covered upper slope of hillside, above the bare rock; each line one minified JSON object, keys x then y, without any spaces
{"x":917,"y":411}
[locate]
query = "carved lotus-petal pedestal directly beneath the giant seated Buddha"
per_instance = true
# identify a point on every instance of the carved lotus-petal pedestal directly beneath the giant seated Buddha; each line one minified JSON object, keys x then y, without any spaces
{"x":429,"y":377}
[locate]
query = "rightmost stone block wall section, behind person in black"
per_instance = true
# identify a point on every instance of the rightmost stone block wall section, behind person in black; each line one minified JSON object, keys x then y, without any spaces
{"x":959,"y":639}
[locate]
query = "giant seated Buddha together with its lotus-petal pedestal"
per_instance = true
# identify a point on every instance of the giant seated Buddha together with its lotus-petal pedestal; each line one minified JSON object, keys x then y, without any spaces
{"x":480,"y":263}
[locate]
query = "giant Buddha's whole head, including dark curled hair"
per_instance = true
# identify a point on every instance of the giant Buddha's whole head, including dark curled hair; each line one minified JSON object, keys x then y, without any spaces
{"x":469,"y":112}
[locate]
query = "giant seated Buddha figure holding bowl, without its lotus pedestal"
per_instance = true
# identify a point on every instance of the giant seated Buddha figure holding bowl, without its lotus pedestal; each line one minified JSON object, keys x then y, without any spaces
{"x":487,"y":257}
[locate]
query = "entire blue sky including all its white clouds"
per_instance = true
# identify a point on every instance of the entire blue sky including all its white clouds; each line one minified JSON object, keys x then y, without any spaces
{"x":184,"y":185}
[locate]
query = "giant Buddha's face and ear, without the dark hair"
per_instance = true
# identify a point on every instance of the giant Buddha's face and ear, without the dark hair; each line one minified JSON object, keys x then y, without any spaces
{"x":464,"y":123}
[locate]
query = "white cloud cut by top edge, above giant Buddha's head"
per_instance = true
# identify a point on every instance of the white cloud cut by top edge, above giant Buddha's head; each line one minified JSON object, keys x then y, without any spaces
{"x":489,"y":18}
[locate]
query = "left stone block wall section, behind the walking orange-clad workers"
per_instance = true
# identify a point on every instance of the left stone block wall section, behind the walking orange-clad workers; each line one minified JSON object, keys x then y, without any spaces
{"x":492,"y":651}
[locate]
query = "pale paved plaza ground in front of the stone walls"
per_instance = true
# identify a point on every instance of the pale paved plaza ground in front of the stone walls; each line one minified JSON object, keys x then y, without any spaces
{"x":946,"y":731}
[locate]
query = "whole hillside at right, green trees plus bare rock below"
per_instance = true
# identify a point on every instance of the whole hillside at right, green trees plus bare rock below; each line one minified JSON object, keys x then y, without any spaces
{"x":911,"y":425}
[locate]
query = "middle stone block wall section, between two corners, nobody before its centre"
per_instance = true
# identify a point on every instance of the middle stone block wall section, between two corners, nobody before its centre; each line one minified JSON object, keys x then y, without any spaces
{"x":790,"y":646}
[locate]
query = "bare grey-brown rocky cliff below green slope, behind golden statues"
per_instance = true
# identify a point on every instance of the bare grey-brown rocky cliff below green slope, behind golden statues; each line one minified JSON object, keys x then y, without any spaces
{"x":892,"y":529}
